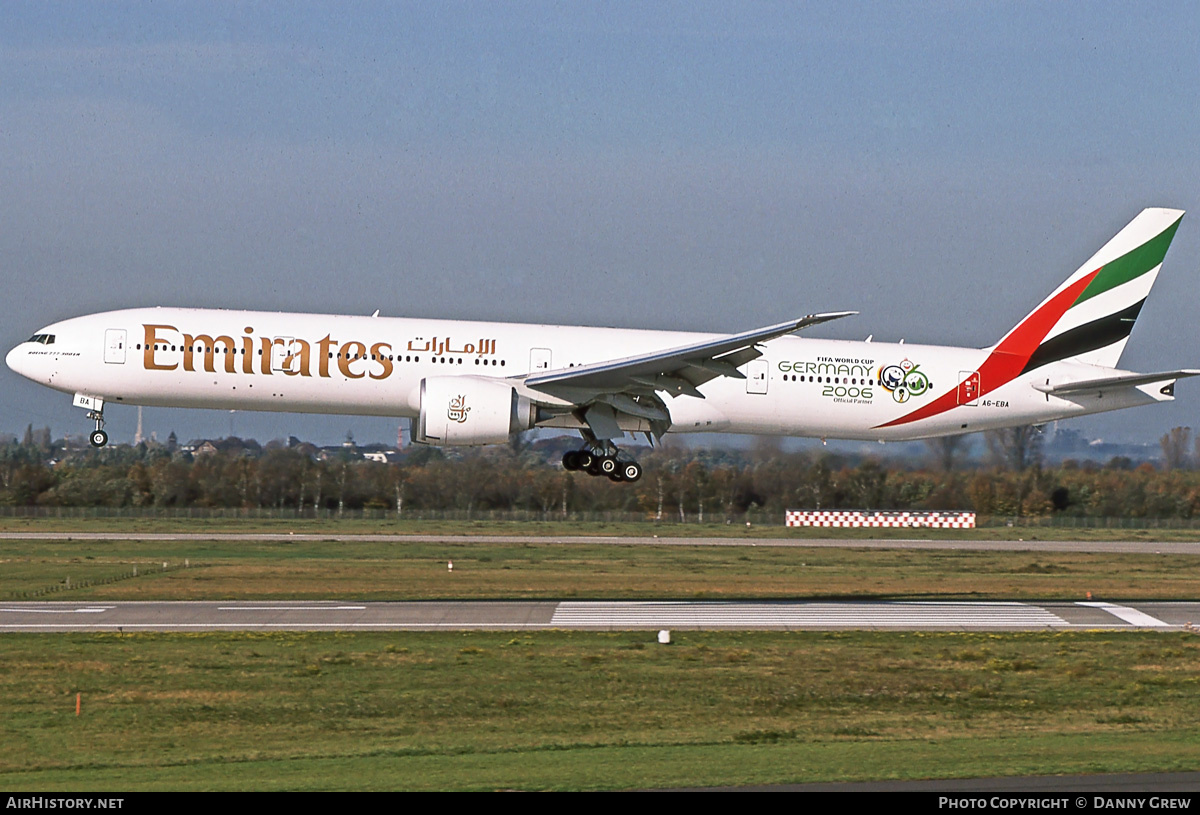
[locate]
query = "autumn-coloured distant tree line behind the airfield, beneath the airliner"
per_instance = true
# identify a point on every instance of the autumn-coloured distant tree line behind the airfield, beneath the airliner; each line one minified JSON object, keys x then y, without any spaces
{"x":680,"y":483}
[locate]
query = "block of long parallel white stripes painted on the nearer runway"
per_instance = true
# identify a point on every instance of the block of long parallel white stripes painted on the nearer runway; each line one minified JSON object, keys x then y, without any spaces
{"x":869,"y":615}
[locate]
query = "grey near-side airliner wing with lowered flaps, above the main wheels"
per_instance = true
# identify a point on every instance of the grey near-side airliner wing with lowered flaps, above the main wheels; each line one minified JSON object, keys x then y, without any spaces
{"x":631,"y":386}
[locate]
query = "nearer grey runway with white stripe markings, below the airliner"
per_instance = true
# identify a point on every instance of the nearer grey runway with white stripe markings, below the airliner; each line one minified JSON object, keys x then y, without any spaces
{"x":598,"y":616}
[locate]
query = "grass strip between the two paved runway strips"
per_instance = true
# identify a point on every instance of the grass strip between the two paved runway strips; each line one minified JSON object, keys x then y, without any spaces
{"x":391,"y":571}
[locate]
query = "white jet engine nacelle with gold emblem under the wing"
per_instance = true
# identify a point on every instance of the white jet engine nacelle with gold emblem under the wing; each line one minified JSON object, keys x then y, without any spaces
{"x":471,"y":411}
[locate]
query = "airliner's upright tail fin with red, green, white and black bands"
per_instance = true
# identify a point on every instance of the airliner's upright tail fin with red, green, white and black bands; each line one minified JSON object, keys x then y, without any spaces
{"x":1090,"y":316}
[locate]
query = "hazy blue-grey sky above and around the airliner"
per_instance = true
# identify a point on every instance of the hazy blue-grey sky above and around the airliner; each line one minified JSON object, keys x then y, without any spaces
{"x":939,"y":167}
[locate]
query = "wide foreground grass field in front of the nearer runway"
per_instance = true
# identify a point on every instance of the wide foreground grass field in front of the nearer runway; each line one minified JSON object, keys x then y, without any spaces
{"x":556,"y":710}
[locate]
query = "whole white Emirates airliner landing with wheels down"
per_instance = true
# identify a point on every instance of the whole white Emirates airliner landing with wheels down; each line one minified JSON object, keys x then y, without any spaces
{"x":478,"y":383}
